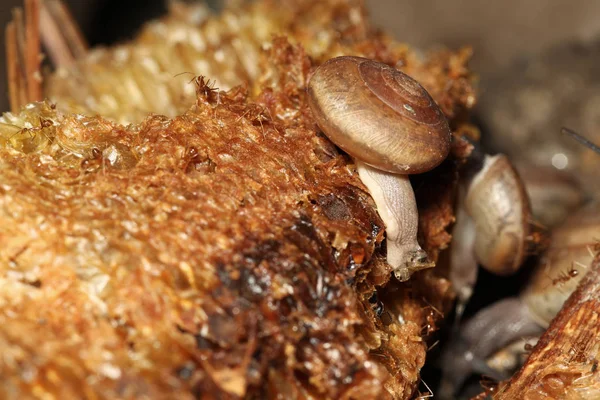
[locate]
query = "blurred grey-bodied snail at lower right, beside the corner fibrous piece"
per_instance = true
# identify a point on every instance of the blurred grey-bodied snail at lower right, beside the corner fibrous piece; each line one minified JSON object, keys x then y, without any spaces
{"x":555,"y":277}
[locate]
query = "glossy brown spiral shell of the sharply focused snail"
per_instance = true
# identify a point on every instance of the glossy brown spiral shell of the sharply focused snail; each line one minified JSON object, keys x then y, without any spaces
{"x":379,"y":115}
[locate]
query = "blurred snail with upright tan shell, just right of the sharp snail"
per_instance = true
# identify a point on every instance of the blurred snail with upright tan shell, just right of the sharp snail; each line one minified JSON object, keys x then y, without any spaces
{"x":493,"y":223}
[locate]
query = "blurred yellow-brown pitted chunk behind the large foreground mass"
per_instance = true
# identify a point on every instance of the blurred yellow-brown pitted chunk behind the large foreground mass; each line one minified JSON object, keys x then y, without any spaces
{"x":152,"y":73}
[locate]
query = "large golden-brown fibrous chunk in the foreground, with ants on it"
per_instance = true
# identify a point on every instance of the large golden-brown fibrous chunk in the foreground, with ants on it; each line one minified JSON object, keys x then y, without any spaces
{"x":186,"y":255}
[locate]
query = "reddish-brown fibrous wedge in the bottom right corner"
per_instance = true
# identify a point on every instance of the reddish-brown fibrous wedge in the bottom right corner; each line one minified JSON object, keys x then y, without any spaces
{"x":564,"y":363}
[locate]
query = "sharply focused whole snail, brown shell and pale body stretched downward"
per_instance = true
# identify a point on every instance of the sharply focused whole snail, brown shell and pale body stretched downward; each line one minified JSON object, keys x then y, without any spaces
{"x":391,"y":127}
